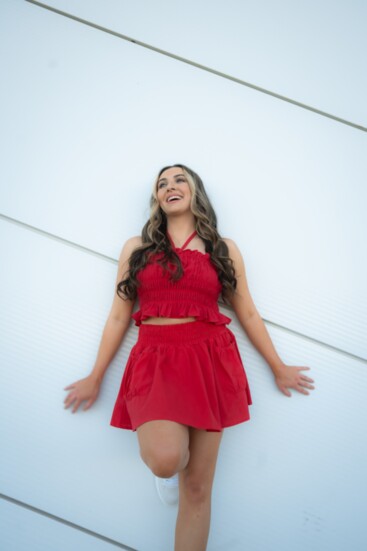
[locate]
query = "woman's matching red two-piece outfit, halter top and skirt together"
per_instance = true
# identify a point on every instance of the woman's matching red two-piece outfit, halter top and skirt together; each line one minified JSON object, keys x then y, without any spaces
{"x":190,"y":373}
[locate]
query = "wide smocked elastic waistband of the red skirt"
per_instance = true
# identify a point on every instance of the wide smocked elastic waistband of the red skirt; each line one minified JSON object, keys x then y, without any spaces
{"x":180,"y":333}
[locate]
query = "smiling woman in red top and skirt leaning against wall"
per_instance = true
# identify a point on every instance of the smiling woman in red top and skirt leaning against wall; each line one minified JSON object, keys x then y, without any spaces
{"x":184,"y":381}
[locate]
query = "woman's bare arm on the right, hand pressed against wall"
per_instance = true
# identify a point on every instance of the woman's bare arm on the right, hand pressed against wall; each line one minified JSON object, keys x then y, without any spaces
{"x":286,"y":376}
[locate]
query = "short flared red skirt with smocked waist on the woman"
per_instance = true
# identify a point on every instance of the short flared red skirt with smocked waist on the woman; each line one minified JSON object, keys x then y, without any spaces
{"x":190,"y":373}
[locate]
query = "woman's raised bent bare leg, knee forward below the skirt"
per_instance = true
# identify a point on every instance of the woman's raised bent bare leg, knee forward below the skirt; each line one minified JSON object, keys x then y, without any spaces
{"x":164,"y":447}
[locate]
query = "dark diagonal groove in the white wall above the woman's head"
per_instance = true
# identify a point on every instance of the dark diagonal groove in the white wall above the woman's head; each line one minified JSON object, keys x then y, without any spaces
{"x":199,"y":66}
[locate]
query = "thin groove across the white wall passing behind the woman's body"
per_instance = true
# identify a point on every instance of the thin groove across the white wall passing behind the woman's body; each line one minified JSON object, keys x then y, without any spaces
{"x":86,"y":250}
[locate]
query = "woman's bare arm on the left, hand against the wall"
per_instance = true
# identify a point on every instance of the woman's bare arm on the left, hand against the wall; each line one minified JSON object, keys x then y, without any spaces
{"x":118,"y":321}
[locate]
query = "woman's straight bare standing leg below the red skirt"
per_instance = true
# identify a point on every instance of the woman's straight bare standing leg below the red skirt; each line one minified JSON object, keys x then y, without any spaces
{"x":196,"y":481}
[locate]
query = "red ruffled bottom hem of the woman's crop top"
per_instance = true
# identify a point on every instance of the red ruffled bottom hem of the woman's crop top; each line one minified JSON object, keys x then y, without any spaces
{"x":169,"y":310}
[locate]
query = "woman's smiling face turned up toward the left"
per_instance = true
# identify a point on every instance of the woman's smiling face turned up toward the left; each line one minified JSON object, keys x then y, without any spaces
{"x":173,"y":191}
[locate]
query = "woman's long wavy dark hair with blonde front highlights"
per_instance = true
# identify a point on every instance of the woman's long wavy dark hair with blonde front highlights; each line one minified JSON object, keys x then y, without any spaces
{"x":155,"y":240}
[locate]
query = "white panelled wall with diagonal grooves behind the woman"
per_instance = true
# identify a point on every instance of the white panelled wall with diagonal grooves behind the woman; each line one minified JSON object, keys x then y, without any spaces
{"x":87,"y":119}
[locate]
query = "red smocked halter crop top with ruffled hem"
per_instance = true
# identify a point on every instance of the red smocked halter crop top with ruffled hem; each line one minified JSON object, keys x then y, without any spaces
{"x":194,"y":295}
